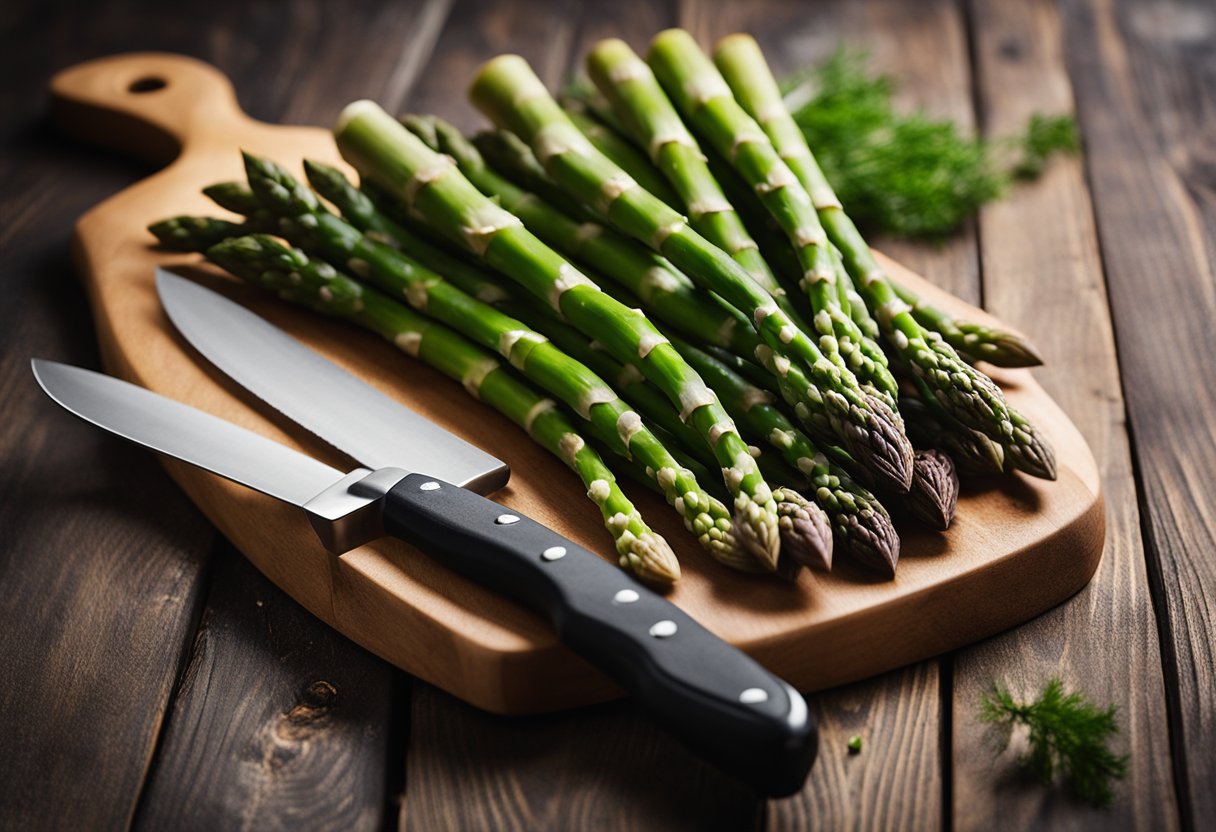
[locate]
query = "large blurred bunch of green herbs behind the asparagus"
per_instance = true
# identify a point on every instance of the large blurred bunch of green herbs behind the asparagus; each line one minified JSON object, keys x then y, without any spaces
{"x":909,"y":175}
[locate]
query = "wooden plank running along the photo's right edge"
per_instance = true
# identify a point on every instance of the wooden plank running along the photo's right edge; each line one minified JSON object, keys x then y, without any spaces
{"x":1146,"y":78}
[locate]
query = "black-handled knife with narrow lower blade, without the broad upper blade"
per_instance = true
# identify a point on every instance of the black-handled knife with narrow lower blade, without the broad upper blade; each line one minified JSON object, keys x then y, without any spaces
{"x":714,"y":698}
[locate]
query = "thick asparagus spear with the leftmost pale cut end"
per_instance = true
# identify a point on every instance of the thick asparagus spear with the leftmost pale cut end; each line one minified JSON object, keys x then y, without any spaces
{"x":430,"y":184}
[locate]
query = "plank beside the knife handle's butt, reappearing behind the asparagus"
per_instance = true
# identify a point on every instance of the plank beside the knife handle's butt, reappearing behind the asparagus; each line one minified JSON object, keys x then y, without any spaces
{"x":897,"y":782}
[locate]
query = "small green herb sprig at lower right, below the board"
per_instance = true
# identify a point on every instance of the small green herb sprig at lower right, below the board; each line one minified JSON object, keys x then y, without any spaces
{"x":1068,"y":739}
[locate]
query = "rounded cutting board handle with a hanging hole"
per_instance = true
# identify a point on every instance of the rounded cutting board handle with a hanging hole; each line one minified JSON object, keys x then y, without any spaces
{"x":155,"y":105}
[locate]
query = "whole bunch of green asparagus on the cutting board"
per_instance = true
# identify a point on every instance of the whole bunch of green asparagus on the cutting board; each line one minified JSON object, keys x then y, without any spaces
{"x":655,"y":279}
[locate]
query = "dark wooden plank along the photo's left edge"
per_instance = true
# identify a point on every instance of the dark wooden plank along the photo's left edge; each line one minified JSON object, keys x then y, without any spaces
{"x":102,"y":559}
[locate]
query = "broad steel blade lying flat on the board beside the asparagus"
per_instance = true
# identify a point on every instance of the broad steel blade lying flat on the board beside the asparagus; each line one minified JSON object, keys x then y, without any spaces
{"x":312,"y":391}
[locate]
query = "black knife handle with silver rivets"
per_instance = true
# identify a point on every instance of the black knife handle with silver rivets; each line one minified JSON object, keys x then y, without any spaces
{"x":710,"y":695}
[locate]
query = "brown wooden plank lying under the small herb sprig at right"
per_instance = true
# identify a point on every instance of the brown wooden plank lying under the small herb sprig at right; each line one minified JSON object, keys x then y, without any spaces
{"x":1043,"y":273}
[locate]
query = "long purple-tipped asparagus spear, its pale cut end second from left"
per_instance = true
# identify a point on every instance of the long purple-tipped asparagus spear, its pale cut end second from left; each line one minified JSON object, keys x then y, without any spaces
{"x":513,"y":97}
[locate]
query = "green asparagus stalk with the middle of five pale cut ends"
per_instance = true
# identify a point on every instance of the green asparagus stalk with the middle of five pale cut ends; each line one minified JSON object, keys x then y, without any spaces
{"x":654,"y":123}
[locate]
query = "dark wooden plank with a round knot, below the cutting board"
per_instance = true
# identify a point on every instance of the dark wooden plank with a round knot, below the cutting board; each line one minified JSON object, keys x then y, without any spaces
{"x":278,"y":722}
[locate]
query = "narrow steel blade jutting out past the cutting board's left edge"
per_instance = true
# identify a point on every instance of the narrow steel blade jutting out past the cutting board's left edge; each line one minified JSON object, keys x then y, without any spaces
{"x":171,"y":428}
